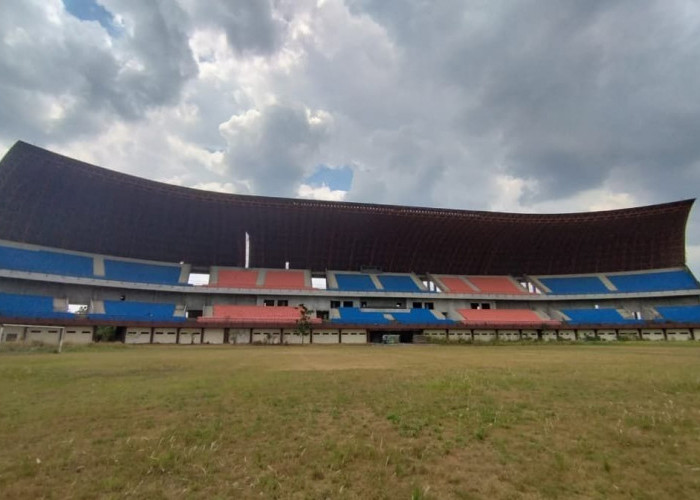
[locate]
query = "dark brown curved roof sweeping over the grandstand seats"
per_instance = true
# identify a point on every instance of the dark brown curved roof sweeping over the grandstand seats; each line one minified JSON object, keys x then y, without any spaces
{"x":49,"y":199}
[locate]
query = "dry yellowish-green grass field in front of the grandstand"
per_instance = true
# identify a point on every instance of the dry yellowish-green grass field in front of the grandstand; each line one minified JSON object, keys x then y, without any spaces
{"x":544,"y":421}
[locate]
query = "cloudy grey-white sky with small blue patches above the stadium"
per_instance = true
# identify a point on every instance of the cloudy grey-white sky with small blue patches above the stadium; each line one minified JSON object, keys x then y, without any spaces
{"x":515,"y":105}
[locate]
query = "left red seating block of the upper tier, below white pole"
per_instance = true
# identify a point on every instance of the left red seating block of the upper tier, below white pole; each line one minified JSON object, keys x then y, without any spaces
{"x":272,"y":279}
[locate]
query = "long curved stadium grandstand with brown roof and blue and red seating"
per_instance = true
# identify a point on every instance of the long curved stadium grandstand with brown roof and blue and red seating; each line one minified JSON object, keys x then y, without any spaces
{"x":83,"y":247}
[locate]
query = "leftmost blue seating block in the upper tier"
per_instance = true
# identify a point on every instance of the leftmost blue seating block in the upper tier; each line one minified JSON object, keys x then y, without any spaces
{"x":44,"y":261}
